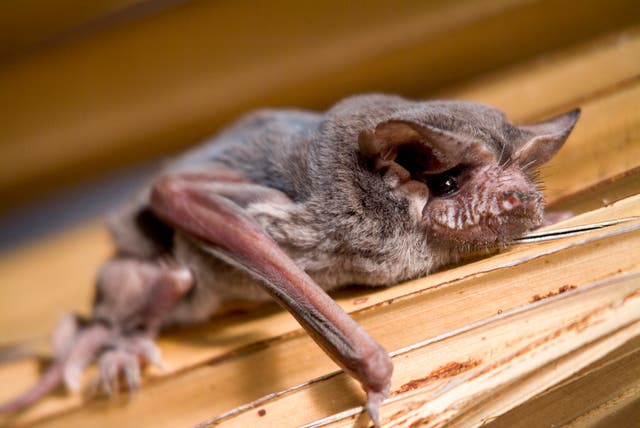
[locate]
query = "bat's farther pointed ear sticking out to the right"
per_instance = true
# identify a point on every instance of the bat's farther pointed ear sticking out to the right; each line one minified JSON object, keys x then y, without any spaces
{"x":543,"y":140}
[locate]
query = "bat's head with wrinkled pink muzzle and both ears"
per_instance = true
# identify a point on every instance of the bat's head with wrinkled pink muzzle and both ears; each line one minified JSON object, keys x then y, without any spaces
{"x":469,"y":175}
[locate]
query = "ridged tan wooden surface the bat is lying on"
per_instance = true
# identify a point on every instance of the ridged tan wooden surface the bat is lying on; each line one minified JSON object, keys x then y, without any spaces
{"x":460,"y":322}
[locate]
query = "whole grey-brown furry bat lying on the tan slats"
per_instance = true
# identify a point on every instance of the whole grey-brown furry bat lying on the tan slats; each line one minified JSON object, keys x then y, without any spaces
{"x":289,"y":204}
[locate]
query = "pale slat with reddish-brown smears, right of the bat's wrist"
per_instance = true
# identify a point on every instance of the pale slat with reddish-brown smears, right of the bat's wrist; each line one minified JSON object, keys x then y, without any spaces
{"x":517,"y":365}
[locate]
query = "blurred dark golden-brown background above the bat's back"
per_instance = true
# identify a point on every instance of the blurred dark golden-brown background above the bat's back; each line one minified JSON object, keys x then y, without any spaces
{"x":94,"y":93}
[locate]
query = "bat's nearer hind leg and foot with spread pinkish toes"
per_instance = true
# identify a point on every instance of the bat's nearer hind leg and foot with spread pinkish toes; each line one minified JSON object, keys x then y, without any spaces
{"x":133,"y":298}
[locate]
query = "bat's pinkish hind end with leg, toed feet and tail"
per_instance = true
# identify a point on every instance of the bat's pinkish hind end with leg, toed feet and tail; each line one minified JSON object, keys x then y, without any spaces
{"x":132,"y":299}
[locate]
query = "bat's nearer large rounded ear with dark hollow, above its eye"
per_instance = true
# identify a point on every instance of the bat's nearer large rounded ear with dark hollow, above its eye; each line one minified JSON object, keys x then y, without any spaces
{"x":423,"y":148}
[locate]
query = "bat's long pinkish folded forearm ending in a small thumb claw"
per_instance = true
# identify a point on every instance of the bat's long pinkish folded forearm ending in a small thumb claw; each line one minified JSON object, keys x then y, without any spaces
{"x":194,"y":206}
